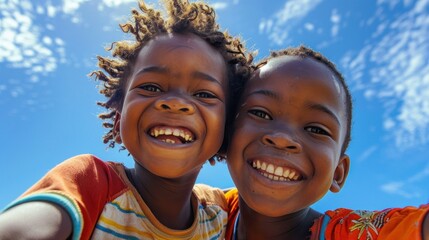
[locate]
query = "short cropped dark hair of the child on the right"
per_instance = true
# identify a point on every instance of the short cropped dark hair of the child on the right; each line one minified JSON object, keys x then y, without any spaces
{"x":305,"y":52}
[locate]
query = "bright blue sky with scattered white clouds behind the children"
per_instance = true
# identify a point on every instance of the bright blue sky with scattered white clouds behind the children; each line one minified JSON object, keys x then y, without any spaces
{"x":48,"y":110}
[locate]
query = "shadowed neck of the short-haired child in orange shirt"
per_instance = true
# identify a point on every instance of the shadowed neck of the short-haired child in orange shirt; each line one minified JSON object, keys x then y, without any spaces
{"x":253,"y":225}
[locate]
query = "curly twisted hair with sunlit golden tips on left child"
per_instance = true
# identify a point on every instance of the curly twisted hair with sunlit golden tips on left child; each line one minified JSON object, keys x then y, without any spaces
{"x":146,"y":23}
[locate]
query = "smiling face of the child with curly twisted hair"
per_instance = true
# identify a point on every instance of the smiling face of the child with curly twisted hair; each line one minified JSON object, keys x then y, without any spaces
{"x":173,"y":116}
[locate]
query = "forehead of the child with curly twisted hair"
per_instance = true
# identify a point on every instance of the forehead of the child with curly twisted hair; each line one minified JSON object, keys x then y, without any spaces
{"x":181,"y":55}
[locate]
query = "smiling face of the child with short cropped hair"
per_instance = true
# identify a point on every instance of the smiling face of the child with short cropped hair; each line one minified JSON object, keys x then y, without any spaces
{"x":285,"y":153}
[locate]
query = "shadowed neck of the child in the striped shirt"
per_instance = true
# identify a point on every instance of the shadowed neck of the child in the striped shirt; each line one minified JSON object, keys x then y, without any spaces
{"x":170,"y":200}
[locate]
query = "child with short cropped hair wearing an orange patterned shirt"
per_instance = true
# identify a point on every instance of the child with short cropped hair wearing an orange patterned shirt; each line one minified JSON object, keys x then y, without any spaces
{"x":288,"y":150}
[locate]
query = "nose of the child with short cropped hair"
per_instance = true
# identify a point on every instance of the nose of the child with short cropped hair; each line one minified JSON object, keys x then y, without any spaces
{"x":281,"y":140}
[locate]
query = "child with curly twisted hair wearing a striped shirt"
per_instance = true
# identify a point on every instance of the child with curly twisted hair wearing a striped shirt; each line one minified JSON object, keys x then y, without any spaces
{"x":169,"y":97}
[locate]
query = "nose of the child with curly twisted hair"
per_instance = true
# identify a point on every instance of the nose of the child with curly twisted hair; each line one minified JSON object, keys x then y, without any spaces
{"x":175,"y":104}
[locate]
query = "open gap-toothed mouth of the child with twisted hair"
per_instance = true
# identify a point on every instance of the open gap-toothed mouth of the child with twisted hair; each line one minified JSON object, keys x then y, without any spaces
{"x":172,"y":135}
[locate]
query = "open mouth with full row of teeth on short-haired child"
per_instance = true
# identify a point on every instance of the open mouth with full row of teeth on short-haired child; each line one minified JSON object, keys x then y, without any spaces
{"x":276,"y":173}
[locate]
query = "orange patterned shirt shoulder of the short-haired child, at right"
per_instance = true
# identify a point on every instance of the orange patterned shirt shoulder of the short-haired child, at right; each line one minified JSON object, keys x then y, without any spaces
{"x":406,"y":222}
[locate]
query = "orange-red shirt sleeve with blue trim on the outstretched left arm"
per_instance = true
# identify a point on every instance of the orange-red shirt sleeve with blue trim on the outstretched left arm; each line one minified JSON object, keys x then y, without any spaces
{"x":81,"y":185}
